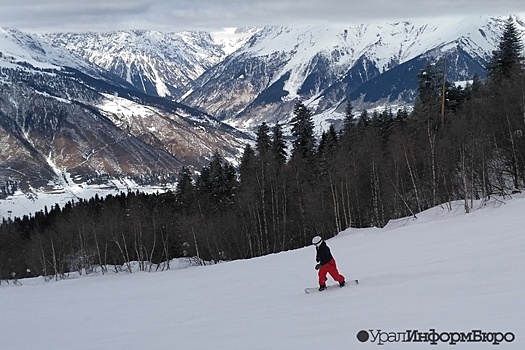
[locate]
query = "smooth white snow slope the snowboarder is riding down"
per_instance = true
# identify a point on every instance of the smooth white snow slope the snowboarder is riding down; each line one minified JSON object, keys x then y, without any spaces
{"x":448,"y":275}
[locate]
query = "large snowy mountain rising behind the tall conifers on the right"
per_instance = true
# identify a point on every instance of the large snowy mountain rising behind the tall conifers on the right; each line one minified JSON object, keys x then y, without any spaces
{"x":324,"y":66}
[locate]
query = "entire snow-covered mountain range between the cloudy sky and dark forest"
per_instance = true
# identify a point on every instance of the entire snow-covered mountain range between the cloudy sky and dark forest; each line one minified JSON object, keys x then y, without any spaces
{"x":56,"y":87}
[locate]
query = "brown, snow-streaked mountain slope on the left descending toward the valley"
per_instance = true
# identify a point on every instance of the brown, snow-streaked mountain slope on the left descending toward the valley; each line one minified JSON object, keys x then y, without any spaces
{"x":60,"y":115}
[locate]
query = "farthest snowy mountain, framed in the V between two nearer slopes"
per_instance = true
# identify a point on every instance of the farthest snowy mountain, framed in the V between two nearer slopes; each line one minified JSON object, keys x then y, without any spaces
{"x":156,"y":63}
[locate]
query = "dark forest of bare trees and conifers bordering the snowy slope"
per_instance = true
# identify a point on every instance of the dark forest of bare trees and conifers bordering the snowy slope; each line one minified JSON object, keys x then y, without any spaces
{"x":457,"y":143}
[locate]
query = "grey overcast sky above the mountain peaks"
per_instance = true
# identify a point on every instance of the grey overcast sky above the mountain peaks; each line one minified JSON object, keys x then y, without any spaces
{"x":210,"y":15}
